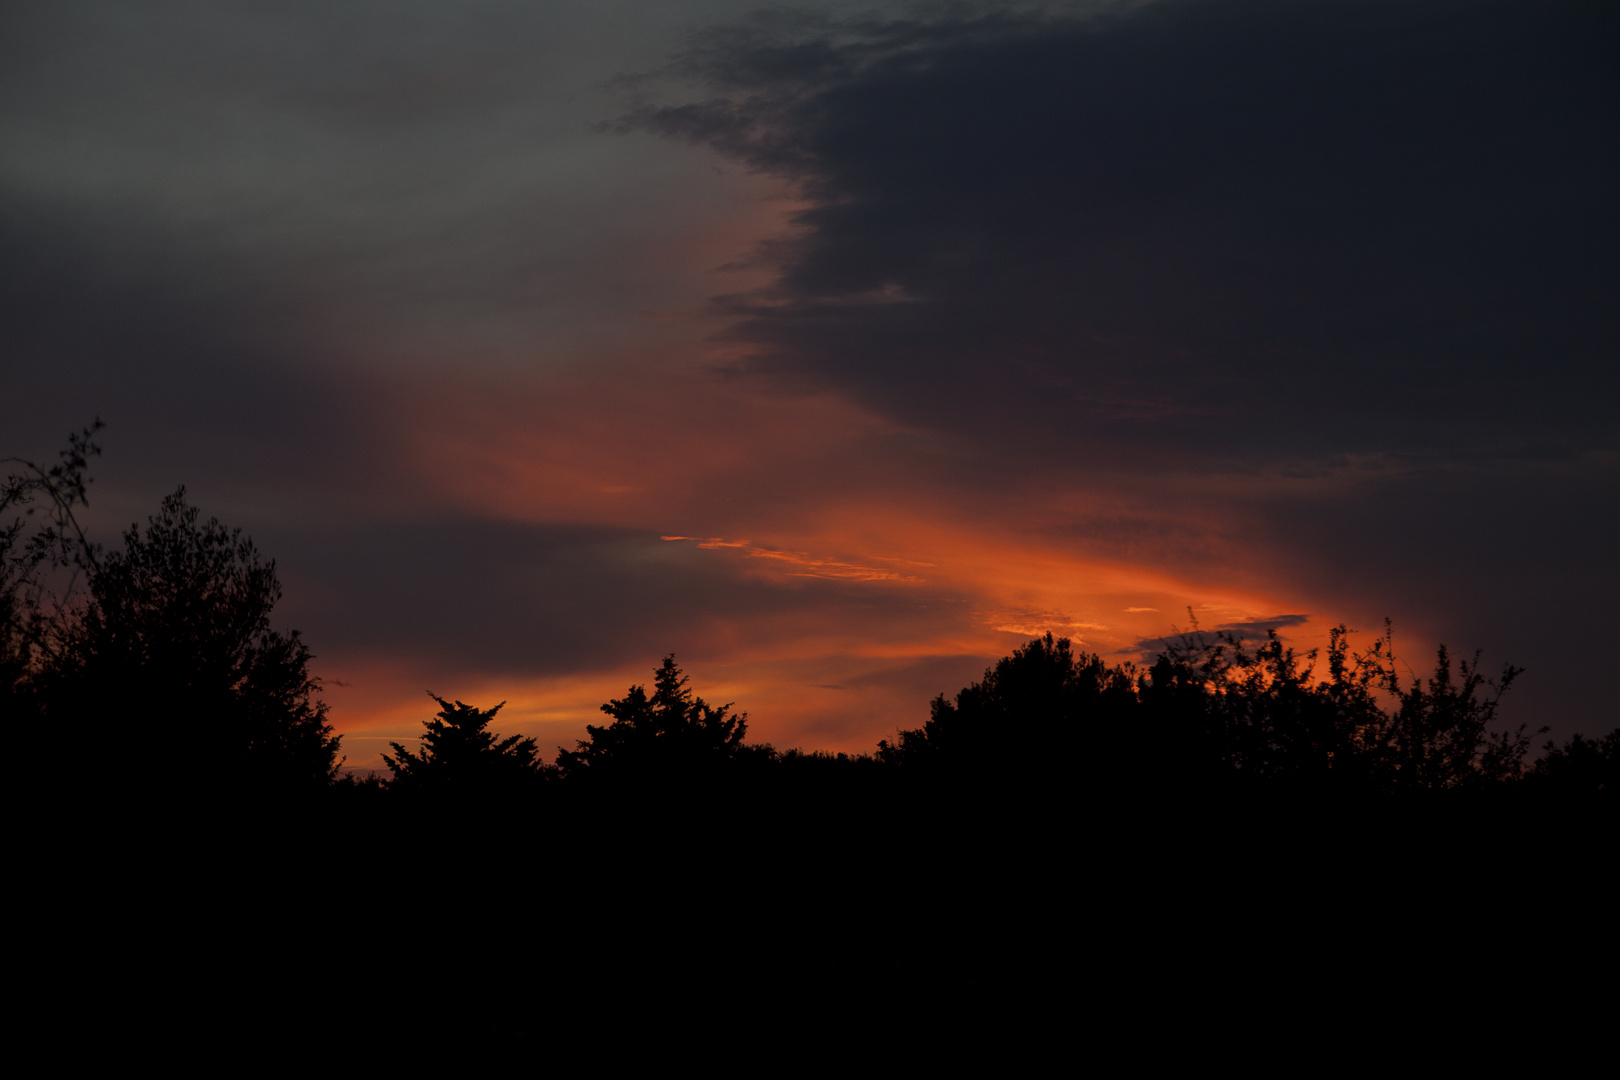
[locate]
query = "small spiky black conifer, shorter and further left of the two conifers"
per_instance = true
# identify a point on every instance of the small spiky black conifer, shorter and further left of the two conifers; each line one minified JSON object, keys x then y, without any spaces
{"x":461,"y":754}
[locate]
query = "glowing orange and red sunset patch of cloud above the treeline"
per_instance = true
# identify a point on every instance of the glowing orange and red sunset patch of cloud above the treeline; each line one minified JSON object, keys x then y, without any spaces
{"x":937,"y":582}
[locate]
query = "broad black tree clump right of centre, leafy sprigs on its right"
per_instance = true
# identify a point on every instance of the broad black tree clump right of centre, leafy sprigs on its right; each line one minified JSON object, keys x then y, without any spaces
{"x":1213,"y":712}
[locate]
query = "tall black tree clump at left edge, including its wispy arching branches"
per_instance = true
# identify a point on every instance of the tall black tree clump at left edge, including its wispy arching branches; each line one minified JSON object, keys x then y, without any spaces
{"x":155,"y":666}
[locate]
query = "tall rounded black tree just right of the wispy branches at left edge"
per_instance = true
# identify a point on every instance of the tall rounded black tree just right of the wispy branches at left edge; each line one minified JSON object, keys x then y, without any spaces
{"x":171,"y":671}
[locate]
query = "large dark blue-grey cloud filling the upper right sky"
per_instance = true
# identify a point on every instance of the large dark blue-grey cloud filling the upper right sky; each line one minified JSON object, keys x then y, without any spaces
{"x":1217,"y":231}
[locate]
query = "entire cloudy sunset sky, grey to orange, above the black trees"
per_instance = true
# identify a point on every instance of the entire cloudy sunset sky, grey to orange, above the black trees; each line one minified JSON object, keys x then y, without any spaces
{"x":837,"y":349}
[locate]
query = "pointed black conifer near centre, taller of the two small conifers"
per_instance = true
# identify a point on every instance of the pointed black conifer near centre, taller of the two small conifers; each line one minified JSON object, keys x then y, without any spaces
{"x":671,"y":731}
